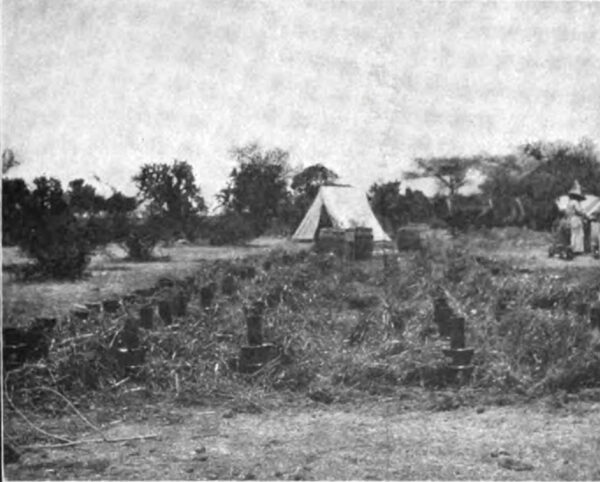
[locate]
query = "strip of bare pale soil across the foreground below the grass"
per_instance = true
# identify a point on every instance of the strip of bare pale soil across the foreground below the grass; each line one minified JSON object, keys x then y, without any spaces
{"x":373,"y":441}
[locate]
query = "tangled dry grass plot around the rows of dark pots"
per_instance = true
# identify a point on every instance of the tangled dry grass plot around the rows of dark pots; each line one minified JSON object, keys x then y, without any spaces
{"x":349,"y":326}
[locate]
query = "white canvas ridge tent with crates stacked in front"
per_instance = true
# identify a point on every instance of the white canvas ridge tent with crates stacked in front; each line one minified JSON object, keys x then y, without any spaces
{"x":347,"y":208}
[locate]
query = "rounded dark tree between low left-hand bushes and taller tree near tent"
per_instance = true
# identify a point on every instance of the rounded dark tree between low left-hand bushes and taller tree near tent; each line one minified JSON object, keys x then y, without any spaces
{"x":172,"y":194}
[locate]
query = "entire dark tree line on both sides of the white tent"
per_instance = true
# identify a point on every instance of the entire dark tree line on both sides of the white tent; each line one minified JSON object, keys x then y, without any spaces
{"x":60,"y":228}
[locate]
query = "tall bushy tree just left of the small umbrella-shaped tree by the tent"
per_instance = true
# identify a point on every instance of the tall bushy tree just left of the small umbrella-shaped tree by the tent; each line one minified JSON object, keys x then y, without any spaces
{"x":257,"y":185}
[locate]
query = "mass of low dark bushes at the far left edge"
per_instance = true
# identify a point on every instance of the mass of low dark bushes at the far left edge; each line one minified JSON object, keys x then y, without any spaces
{"x":59,"y":229}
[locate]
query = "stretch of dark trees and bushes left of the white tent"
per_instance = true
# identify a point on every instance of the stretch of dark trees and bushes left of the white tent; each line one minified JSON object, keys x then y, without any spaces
{"x":60,"y":227}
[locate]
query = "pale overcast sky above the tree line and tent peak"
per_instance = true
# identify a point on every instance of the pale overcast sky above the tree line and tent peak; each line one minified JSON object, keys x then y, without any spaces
{"x":102,"y":86}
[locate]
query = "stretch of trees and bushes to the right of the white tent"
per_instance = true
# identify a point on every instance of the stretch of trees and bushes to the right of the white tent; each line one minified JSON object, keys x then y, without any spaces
{"x":518,"y":189}
